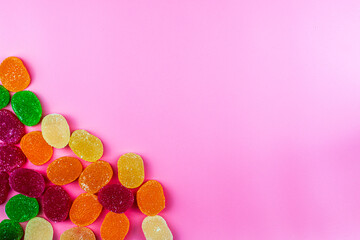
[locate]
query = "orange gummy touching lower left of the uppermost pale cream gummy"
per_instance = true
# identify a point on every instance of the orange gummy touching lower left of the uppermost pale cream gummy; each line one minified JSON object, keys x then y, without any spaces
{"x":35,"y":148}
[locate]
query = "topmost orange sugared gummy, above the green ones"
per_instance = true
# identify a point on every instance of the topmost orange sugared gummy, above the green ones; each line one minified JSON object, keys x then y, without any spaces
{"x":13,"y":74}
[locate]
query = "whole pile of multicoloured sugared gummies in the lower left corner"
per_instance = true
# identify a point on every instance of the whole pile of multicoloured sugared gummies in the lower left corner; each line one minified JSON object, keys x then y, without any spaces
{"x":57,"y":206}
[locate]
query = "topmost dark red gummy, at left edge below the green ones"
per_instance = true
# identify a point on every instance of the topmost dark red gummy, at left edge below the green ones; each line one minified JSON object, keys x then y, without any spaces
{"x":11,"y":129}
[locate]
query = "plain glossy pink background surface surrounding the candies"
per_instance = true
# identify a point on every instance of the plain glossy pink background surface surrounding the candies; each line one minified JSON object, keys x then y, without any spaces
{"x":246,"y":111}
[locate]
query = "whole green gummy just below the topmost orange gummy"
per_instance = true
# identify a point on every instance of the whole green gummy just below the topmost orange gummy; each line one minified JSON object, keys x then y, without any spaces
{"x":27,"y":107}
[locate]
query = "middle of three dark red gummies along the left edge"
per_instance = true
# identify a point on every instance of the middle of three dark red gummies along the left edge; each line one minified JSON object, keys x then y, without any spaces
{"x":11,"y":157}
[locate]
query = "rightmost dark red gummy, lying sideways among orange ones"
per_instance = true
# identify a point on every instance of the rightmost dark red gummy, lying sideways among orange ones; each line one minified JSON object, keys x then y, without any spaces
{"x":116,"y":198}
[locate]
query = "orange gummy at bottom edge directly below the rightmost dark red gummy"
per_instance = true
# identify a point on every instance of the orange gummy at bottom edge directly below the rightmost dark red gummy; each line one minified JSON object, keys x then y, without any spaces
{"x":114,"y":227}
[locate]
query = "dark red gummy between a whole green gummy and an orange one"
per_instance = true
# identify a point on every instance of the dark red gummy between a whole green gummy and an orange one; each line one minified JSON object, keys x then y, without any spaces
{"x":56,"y":203}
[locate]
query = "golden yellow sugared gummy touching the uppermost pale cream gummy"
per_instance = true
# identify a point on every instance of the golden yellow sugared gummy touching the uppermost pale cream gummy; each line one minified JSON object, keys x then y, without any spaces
{"x":86,"y":146}
